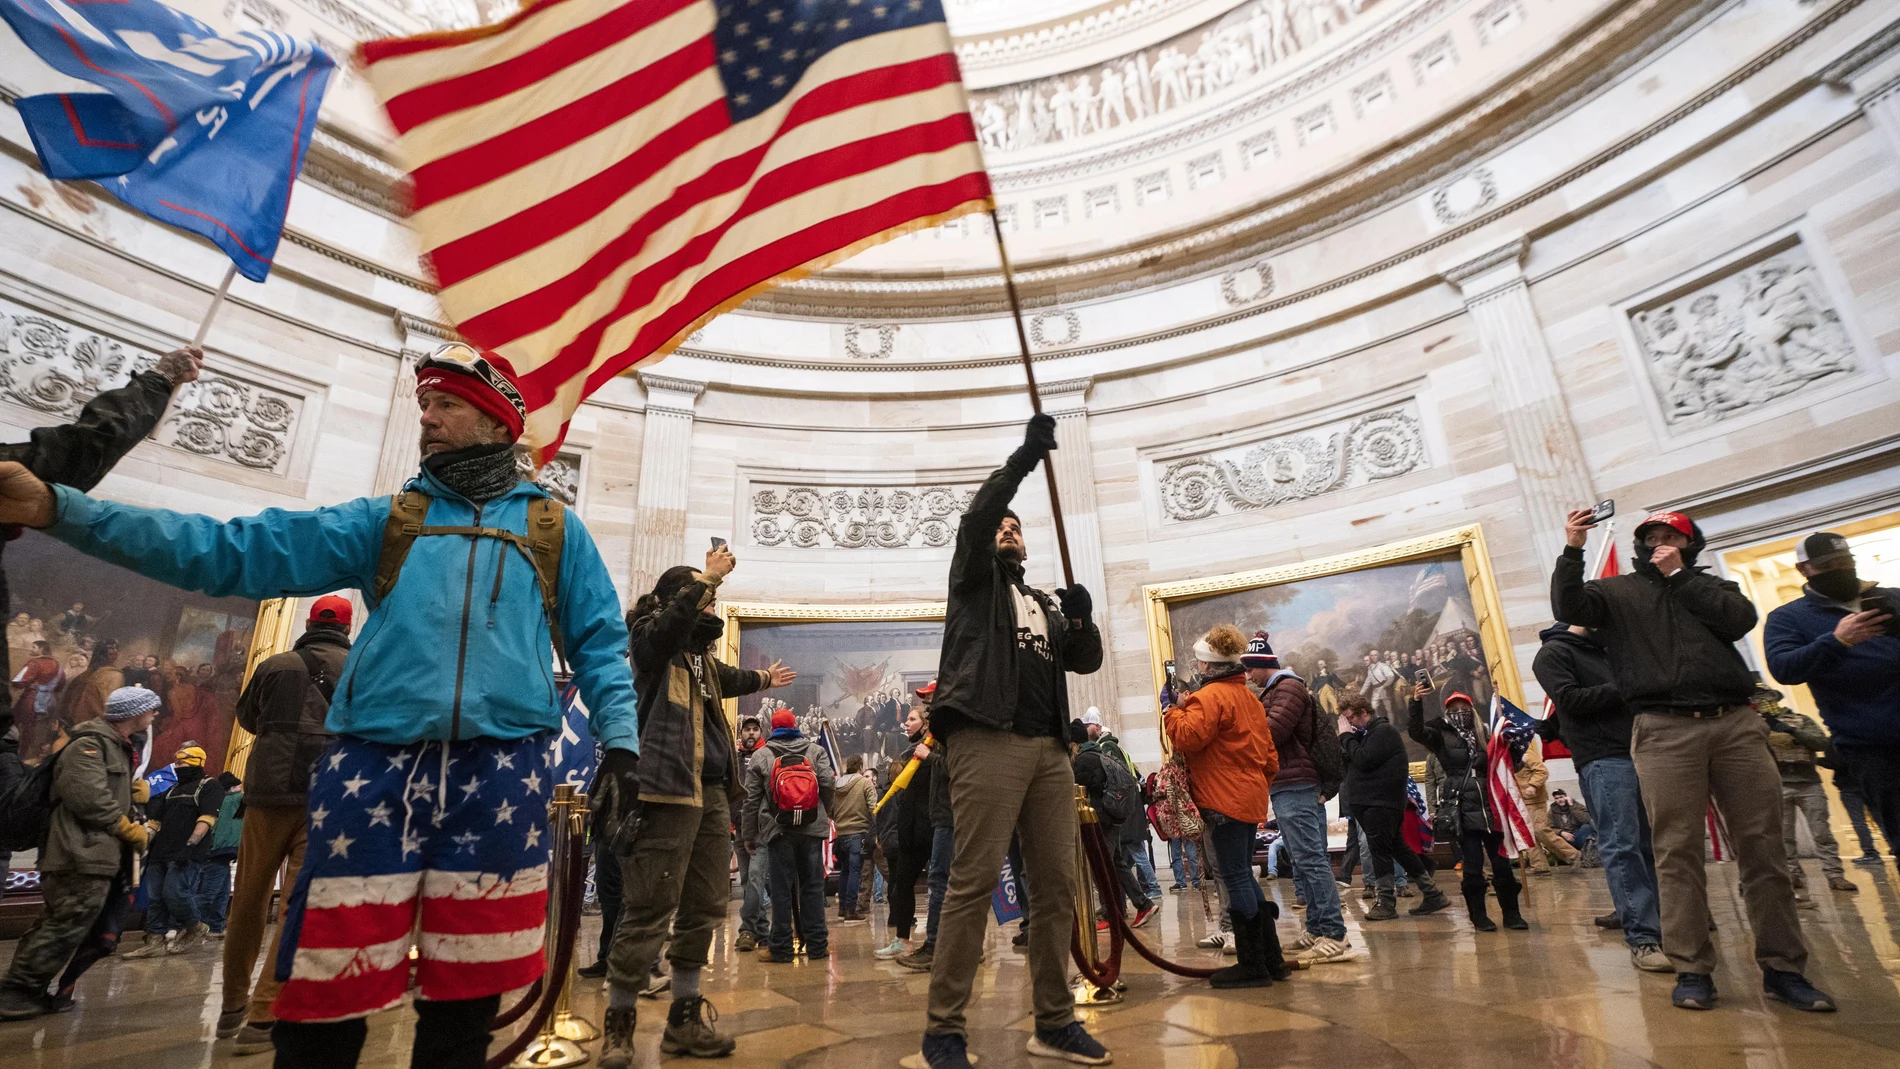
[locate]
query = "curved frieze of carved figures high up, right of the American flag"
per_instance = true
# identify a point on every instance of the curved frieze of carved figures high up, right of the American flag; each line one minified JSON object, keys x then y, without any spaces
{"x":1181,"y":71}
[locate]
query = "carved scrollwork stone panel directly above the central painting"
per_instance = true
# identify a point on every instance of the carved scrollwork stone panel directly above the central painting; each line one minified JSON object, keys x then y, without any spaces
{"x":858,"y":517}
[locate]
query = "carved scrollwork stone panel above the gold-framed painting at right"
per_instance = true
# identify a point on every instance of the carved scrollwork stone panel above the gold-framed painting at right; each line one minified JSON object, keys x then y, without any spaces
{"x":1293,"y":468}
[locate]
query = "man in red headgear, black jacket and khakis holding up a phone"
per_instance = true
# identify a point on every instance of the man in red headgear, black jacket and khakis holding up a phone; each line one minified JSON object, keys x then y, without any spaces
{"x":1669,"y":631}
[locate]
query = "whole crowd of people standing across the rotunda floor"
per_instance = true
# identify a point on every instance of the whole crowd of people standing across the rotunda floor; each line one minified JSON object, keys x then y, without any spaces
{"x":389,"y":785}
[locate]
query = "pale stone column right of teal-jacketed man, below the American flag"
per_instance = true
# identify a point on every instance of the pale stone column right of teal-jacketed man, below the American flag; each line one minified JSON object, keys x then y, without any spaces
{"x":666,"y":479}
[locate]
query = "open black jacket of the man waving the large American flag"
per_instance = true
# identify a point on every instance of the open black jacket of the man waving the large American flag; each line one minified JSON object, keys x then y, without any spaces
{"x":978,"y":669}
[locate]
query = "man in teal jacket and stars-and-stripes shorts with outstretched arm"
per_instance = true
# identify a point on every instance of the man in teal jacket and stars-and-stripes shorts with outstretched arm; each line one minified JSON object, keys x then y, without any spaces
{"x":432,"y":802}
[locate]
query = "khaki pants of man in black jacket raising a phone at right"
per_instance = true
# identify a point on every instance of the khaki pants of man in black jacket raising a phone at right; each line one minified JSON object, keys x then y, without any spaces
{"x":1682,"y":764}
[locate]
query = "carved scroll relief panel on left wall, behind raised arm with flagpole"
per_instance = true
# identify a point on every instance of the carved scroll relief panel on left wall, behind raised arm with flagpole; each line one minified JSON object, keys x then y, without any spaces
{"x":56,"y":367}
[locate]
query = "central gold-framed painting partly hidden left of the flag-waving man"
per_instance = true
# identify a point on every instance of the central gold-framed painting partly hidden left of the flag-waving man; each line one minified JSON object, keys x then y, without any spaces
{"x":858,"y":669}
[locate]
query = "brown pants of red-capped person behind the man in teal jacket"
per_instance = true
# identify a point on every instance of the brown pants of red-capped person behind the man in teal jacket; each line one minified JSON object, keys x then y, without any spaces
{"x":273,"y":838}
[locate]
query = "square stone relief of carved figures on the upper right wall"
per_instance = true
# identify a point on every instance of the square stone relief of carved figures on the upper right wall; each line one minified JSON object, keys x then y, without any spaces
{"x":1749,"y":335}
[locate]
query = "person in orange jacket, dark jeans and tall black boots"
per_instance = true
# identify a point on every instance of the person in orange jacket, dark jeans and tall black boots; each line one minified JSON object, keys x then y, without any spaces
{"x":1223,"y":734}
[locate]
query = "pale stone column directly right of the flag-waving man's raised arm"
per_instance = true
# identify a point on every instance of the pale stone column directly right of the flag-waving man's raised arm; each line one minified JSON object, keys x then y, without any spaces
{"x":1074,"y":466}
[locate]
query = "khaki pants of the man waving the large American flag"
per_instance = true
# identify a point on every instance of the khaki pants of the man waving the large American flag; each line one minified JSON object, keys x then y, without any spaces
{"x":1004,"y":785}
